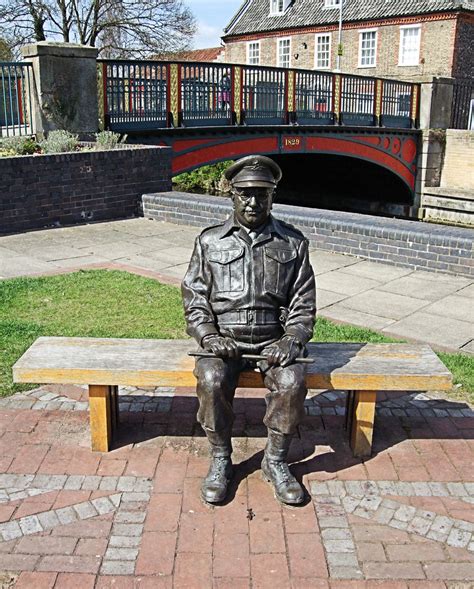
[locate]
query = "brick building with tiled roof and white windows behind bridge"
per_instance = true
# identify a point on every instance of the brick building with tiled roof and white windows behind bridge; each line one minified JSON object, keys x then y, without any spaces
{"x":400,"y":39}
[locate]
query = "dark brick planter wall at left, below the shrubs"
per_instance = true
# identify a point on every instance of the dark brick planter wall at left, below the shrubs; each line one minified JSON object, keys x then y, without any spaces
{"x":46,"y":190}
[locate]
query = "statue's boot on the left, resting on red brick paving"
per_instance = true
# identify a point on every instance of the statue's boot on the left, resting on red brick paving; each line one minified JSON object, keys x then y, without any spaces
{"x":214,"y":486}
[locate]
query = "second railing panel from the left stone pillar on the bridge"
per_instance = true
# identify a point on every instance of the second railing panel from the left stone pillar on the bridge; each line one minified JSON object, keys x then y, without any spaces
{"x":205,"y":94}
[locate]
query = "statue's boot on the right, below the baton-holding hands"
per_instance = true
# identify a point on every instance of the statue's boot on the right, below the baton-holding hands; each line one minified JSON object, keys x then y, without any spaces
{"x":275,"y":469}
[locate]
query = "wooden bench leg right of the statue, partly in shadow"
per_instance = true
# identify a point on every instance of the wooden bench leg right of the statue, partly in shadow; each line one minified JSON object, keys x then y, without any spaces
{"x":363,"y":414}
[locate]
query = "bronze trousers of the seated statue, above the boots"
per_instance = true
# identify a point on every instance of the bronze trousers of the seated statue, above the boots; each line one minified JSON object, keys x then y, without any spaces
{"x":217,"y":380}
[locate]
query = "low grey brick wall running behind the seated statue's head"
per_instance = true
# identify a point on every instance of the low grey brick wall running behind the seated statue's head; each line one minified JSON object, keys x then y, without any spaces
{"x":402,"y":243}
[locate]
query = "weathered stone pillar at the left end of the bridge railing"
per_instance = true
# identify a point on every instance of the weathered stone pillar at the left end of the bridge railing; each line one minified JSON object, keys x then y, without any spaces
{"x":65,"y":87}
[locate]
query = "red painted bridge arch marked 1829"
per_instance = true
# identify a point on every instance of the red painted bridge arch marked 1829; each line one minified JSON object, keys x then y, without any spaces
{"x":392,"y":149}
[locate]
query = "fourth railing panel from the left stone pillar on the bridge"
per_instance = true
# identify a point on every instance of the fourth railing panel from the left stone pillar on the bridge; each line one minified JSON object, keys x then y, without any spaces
{"x":314,"y":98}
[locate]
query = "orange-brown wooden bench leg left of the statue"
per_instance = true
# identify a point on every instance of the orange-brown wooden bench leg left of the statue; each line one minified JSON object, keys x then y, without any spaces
{"x":102,"y":416}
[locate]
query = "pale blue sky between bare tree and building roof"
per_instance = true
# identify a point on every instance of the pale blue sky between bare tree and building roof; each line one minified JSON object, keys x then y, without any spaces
{"x":212,"y":16}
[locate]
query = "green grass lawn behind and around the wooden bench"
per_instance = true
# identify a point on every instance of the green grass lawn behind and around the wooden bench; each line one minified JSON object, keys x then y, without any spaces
{"x":101,"y":303}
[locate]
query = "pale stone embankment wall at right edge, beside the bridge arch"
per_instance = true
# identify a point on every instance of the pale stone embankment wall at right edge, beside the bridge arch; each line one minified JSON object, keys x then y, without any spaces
{"x":448,"y":193}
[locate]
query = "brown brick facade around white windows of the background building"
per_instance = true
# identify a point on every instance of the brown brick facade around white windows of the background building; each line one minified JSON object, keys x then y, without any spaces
{"x":437,"y":45}
